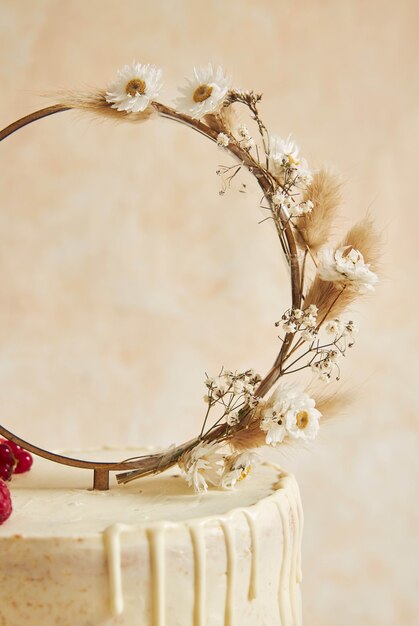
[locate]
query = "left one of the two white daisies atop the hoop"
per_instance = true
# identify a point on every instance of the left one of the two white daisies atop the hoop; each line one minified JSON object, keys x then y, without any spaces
{"x":136,"y":86}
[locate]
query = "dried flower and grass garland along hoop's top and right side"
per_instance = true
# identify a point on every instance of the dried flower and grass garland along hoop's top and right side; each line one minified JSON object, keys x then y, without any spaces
{"x":245,"y":410}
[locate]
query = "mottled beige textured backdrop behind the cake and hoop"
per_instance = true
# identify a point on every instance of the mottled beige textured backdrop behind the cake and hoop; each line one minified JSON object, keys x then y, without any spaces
{"x":124,"y":275}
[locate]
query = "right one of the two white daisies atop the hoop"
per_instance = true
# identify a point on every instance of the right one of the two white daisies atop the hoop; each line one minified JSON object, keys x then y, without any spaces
{"x":204,"y":93}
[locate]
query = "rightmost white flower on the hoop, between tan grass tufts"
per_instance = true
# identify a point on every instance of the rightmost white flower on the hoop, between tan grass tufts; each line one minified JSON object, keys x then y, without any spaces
{"x":347,"y":265}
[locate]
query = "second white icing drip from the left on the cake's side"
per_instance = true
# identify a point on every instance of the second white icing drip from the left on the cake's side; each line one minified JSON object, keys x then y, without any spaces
{"x":157,"y":561}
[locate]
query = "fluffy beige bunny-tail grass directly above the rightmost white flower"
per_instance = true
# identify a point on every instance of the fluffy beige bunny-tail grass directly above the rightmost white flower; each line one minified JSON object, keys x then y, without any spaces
{"x":314,"y":229}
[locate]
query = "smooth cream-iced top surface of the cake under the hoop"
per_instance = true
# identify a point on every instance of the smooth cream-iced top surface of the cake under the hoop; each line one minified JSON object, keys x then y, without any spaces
{"x":56,"y":500}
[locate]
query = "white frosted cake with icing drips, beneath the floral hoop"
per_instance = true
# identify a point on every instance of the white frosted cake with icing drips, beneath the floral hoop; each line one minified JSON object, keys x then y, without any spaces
{"x":151,"y":553}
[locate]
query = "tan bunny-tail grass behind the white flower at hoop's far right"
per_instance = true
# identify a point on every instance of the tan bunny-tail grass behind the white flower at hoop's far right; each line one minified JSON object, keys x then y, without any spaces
{"x":332,"y":298}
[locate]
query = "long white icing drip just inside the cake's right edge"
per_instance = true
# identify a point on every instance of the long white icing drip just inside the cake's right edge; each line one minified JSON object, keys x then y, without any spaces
{"x":285,"y":609}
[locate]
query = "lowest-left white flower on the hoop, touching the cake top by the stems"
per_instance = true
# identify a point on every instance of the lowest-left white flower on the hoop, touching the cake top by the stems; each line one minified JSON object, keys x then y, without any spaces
{"x":202,"y":466}
